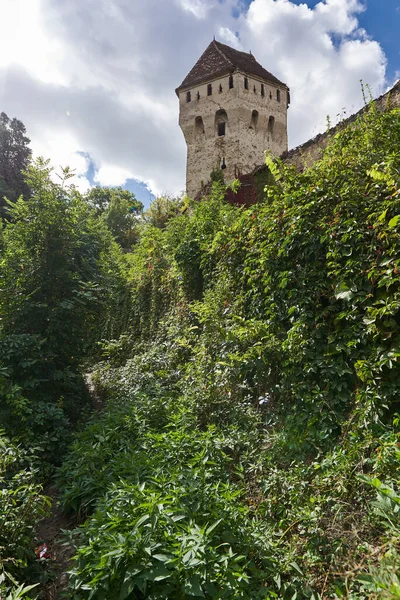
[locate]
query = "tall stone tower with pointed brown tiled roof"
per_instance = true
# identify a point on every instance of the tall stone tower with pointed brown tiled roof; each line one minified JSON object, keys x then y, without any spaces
{"x":231,"y":110}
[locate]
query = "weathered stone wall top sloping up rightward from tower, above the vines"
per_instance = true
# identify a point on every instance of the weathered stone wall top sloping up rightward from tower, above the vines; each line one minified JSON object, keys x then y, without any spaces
{"x":305,"y":155}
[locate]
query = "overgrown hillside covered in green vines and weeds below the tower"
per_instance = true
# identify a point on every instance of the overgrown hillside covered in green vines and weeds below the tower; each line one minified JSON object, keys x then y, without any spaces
{"x":249,"y":446}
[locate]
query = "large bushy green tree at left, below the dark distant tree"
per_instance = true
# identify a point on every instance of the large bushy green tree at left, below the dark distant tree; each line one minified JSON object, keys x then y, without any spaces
{"x":58,"y":271}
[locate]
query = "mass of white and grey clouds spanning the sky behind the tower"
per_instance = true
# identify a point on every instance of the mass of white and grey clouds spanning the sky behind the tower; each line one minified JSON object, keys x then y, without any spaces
{"x":96,"y":78}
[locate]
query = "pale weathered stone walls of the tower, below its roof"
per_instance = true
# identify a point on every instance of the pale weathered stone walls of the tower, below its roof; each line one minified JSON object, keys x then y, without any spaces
{"x":247,"y":134}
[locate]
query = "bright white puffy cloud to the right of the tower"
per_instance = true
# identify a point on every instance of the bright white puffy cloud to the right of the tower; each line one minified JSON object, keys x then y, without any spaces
{"x":320,"y":53}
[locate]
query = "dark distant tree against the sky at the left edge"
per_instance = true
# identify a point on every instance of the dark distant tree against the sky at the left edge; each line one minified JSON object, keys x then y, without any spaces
{"x":14,"y":158}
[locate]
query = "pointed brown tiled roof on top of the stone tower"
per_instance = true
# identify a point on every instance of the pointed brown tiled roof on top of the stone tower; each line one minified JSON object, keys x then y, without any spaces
{"x":219,"y":59}
